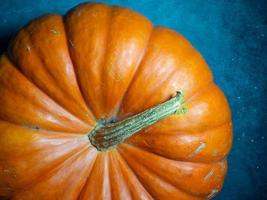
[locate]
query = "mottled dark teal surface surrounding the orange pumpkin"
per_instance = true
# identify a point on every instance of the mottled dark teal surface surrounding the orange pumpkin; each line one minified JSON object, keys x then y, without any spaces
{"x":232,"y":36}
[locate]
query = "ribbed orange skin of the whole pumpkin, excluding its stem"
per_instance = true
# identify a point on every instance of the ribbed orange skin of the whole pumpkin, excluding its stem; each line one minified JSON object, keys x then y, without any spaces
{"x":62,"y":74}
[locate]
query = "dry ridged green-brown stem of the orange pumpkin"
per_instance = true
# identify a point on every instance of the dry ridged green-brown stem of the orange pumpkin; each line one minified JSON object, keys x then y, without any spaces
{"x":107,"y":135}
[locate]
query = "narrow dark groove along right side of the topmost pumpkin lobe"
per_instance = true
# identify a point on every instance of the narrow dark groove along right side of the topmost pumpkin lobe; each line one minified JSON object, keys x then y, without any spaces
{"x":135,"y":73}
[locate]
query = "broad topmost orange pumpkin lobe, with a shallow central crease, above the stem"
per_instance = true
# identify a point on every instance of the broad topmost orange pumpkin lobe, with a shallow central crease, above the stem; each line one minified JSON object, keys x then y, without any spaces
{"x":112,"y":39}
